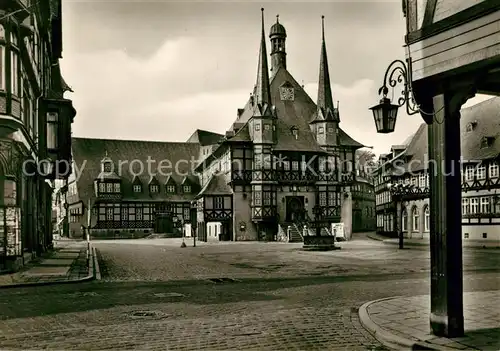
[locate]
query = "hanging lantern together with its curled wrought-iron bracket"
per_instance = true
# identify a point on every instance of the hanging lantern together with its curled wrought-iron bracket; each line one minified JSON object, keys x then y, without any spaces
{"x":385,"y":113}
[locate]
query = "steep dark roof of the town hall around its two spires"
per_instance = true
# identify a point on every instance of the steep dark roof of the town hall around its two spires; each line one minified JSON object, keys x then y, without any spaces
{"x":296,"y":113}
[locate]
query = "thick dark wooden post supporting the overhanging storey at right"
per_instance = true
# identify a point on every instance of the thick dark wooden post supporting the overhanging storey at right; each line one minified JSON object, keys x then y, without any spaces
{"x":446,"y":318}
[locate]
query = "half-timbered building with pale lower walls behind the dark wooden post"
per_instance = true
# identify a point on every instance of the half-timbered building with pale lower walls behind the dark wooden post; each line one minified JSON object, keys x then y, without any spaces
{"x":402,"y":180}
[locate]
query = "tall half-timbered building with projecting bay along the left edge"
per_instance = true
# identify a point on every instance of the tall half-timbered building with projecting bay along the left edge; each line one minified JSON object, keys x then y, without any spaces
{"x":31,"y":88}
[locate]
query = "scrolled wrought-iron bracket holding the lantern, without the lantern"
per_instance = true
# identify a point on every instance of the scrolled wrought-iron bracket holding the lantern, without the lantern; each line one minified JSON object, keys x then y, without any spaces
{"x":398,"y":74}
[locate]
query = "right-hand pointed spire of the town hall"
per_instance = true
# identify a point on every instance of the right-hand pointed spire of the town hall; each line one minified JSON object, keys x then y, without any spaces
{"x":325,"y":100}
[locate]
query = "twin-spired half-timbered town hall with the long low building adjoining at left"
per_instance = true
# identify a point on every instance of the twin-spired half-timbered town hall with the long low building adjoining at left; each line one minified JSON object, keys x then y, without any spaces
{"x":285,"y":161}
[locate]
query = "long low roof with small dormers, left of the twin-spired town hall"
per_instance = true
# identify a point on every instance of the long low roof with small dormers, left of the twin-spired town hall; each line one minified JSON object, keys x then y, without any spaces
{"x":90,"y":152}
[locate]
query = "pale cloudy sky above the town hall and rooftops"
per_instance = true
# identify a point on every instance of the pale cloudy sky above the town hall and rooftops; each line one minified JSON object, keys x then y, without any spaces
{"x":158,"y":70}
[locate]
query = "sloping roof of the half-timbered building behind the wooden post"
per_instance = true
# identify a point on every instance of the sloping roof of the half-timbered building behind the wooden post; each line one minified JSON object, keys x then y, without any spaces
{"x":485,"y":115}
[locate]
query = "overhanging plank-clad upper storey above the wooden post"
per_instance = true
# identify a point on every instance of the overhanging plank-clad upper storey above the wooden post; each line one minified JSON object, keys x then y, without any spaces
{"x":449,"y":37}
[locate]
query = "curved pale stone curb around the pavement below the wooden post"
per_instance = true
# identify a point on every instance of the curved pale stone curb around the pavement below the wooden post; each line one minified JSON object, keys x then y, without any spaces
{"x":389,"y":339}
